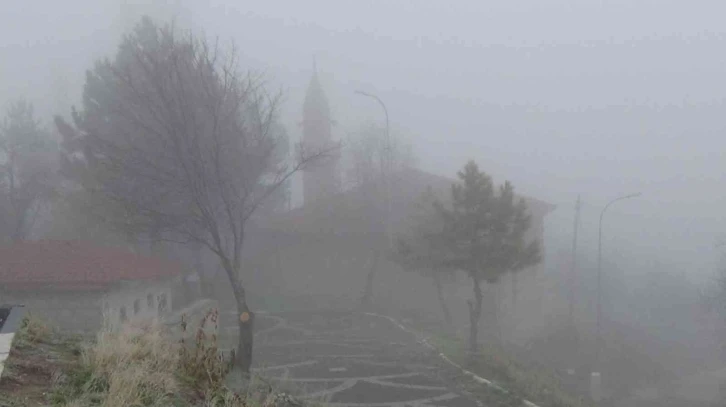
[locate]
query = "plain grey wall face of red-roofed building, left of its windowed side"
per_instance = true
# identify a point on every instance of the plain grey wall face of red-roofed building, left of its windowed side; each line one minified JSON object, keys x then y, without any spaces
{"x":68,"y":311}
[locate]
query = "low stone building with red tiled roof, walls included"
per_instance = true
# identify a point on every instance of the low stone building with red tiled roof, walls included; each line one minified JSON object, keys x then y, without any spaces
{"x":80,"y":287}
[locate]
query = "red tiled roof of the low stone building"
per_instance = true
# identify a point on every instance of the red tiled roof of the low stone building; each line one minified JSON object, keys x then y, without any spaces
{"x":64,"y":265}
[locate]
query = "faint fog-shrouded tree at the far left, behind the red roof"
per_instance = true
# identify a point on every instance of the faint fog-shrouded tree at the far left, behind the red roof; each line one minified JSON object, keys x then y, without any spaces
{"x":28,"y":160}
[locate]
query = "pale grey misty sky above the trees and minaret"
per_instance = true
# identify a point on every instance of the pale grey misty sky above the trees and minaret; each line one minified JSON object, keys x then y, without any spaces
{"x":598,"y":98}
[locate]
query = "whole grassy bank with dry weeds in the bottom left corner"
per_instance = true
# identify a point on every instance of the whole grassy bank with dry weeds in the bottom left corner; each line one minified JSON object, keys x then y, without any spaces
{"x":138,"y":366}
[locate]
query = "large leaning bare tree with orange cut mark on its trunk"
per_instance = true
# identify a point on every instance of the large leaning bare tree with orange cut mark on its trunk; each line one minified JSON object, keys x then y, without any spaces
{"x":179,"y":143}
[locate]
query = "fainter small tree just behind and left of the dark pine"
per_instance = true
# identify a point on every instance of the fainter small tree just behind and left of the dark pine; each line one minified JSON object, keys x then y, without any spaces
{"x":420,"y":250}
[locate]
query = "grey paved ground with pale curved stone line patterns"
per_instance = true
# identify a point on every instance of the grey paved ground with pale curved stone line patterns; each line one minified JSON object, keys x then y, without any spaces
{"x":347,"y":359}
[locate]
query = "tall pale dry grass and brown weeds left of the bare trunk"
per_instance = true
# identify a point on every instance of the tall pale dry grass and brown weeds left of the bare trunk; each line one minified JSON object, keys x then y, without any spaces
{"x":140,"y":365}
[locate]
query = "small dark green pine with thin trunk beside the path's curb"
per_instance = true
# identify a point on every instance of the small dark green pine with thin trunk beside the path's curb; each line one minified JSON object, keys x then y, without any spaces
{"x":484,"y":234}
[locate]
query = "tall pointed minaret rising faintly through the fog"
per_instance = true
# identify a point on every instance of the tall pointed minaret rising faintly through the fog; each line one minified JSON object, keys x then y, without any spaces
{"x":321,"y":179}
